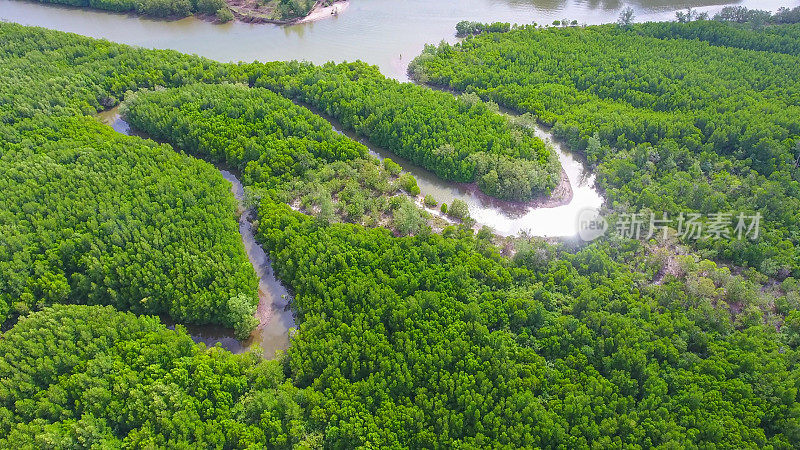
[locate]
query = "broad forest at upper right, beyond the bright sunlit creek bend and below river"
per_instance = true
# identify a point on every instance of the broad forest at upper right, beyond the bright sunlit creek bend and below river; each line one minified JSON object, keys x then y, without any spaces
{"x":672,"y":123}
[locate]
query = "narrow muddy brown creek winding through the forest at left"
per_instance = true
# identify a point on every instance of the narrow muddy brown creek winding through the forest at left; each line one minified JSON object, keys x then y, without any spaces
{"x":274,"y":314}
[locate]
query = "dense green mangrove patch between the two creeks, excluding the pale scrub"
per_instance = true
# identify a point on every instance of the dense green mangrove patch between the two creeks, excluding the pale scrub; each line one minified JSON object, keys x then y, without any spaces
{"x":265,"y":136}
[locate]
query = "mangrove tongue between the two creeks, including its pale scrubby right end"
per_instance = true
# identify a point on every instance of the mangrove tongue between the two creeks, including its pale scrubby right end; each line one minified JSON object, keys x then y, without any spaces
{"x":282,"y":150}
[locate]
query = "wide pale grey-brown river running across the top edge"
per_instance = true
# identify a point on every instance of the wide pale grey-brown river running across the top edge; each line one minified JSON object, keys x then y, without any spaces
{"x":388,"y":33}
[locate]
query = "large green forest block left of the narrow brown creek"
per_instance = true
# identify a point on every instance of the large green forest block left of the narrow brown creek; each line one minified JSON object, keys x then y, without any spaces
{"x":90,"y":216}
